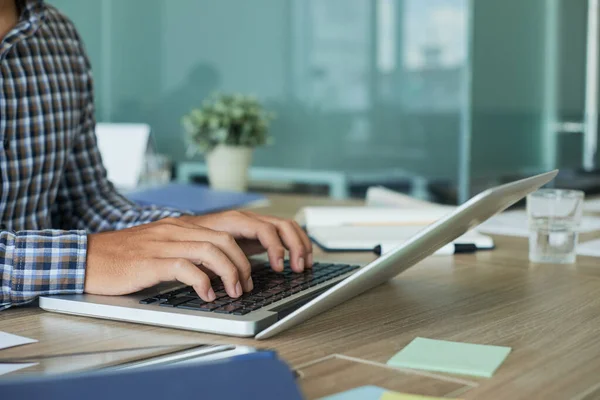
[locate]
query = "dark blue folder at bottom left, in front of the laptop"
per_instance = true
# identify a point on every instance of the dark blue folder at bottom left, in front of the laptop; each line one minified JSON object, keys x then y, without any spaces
{"x":251,"y":376}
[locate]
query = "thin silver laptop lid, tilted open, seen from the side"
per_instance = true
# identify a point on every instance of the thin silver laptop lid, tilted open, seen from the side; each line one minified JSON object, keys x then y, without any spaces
{"x":430,"y":239}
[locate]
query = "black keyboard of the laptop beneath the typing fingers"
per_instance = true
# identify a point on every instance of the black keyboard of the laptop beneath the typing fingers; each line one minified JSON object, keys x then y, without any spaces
{"x":269,"y":287}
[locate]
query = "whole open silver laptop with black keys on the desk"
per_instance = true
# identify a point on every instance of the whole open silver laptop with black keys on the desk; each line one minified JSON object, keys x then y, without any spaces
{"x":280,"y":301}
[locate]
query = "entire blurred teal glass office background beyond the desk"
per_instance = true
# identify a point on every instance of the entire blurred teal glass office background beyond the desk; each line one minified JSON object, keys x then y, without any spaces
{"x":437,"y":98}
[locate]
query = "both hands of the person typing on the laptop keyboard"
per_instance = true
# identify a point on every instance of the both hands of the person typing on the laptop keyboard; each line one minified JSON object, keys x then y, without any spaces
{"x":191,"y":250}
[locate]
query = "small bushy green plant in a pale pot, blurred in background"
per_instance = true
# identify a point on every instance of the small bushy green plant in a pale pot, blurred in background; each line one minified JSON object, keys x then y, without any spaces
{"x":226,"y":129}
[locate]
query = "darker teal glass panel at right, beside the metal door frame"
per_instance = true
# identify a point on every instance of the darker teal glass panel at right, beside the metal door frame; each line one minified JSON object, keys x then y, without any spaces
{"x":508,"y":86}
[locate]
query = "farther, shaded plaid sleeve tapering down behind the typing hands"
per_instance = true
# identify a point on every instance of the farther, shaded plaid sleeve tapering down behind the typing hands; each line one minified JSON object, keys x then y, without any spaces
{"x":86,"y":200}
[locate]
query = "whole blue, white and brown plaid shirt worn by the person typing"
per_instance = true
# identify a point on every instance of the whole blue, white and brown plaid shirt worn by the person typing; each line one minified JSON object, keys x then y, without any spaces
{"x":54,"y":188}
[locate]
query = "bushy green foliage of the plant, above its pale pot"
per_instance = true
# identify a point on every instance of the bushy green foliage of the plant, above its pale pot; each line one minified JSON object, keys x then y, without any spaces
{"x":230,"y":119}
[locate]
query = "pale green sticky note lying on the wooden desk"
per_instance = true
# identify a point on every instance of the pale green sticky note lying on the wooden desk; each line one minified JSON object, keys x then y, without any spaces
{"x":451,"y":357}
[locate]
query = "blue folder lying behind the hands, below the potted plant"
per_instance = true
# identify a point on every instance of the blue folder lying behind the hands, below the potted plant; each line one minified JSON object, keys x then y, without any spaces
{"x":198,"y":199}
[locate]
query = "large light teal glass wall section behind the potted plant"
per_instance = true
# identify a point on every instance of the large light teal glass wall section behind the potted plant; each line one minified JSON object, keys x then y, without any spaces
{"x":359,"y":86}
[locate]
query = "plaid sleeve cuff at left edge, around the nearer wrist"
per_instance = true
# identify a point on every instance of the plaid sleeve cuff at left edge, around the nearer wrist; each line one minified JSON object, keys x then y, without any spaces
{"x":35,"y":263}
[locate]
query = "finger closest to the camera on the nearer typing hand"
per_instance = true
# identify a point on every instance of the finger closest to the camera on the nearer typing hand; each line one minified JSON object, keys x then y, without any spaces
{"x":184,"y":271}
